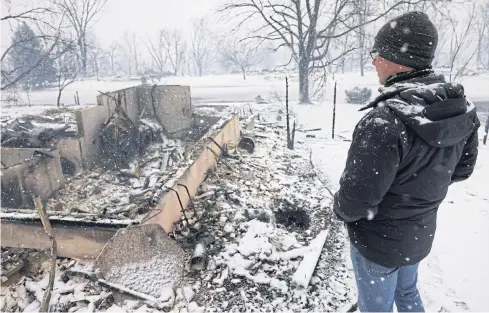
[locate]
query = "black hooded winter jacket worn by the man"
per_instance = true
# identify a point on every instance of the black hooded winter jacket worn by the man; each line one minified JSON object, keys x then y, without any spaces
{"x":420,"y":137}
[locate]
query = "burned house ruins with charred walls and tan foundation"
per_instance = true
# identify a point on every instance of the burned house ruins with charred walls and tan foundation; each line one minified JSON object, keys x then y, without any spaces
{"x":106,"y":165}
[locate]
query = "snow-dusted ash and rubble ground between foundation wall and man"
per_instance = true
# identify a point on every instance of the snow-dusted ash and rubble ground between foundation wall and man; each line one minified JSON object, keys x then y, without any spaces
{"x":262,"y":211}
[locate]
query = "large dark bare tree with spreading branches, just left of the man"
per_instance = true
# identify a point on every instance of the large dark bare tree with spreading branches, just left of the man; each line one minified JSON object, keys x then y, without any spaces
{"x":306,"y":27}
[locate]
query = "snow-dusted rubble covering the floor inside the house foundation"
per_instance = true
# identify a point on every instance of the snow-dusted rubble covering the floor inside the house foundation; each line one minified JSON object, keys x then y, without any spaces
{"x":117,"y":194}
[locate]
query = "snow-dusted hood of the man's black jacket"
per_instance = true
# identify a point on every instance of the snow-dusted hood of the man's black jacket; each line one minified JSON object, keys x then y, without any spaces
{"x":436,"y":110}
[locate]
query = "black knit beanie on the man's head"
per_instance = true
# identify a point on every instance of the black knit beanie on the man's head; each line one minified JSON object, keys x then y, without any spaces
{"x":409,"y":40}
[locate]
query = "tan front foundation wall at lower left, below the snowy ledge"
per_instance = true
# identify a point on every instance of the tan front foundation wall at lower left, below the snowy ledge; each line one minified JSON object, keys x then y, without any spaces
{"x":75,"y":239}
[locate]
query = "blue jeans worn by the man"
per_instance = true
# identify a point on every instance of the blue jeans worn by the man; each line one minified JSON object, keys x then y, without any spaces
{"x":379,"y":286}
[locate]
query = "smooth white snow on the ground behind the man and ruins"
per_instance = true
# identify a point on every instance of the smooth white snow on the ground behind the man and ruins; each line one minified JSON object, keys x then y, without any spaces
{"x":454,"y":277}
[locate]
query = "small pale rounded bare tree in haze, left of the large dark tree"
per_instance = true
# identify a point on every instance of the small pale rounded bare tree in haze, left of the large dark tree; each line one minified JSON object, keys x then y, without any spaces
{"x":241,"y":55}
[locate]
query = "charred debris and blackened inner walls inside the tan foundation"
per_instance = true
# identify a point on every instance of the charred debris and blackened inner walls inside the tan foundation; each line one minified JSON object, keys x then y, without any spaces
{"x":41,"y":154}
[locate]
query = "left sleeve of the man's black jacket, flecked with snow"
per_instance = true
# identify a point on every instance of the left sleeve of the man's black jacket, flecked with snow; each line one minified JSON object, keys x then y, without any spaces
{"x":371,"y":166}
